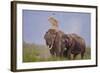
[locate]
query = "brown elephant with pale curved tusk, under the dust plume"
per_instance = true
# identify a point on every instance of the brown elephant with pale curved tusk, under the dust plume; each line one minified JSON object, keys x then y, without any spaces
{"x":53,"y":41}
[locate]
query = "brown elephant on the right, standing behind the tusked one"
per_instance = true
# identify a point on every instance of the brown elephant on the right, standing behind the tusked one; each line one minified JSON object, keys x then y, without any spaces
{"x":75,"y":45}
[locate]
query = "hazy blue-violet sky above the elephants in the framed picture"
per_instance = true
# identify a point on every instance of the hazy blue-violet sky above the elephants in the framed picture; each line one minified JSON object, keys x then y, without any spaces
{"x":35,"y":24}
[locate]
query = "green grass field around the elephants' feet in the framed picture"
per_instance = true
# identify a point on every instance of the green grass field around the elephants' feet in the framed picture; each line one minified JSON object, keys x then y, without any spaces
{"x":38,"y":53}
